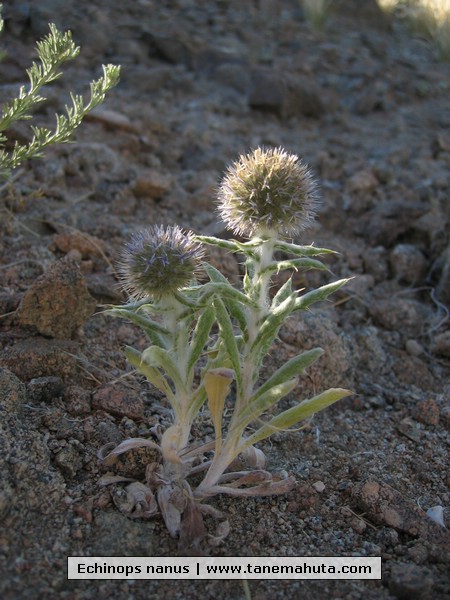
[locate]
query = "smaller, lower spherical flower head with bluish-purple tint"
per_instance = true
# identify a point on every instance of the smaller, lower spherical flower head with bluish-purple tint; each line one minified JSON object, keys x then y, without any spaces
{"x":158,"y":261}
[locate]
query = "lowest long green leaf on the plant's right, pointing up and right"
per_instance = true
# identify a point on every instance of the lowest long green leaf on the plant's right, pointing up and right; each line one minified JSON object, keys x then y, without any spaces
{"x":294,"y":415}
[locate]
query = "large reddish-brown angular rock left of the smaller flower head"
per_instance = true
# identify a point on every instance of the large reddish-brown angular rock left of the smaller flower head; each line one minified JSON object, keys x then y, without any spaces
{"x":58,"y":302}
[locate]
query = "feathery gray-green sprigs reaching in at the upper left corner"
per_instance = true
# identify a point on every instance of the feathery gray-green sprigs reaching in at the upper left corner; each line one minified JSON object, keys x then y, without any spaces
{"x":53,"y":51}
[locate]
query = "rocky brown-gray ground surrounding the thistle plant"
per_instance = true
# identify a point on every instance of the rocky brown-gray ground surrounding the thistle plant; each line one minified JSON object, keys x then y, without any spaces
{"x":366,"y":105}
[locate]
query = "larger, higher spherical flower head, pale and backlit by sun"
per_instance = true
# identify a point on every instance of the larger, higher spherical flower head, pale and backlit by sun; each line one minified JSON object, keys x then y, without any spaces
{"x":268,"y":191}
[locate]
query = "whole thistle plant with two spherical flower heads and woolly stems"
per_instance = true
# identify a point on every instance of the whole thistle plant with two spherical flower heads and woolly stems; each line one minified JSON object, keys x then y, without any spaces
{"x":266,"y":196}
